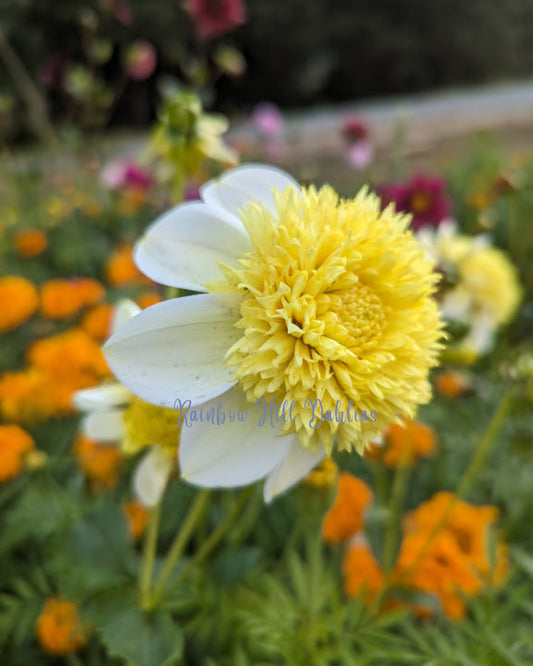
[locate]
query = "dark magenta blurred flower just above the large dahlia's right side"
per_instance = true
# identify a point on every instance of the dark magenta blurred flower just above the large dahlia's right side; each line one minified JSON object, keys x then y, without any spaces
{"x":423,"y":197}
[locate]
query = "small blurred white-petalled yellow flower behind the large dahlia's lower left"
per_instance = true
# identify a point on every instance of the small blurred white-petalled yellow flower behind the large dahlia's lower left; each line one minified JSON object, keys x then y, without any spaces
{"x":113,"y":414}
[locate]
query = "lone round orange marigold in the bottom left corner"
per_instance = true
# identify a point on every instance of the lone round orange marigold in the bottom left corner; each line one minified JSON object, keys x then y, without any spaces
{"x":59,"y":629}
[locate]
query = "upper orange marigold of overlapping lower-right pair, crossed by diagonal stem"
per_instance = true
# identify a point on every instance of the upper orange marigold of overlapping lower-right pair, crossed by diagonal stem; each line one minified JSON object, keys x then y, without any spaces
{"x":468,"y":524}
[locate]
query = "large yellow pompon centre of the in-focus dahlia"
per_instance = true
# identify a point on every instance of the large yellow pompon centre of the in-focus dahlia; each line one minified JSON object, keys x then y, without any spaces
{"x":337,"y":315}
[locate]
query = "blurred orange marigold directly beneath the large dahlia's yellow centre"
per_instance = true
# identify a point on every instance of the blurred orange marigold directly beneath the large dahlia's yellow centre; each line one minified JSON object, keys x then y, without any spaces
{"x":346,"y":516}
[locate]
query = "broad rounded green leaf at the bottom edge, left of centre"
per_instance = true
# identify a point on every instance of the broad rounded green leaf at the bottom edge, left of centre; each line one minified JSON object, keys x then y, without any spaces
{"x":143,"y":640}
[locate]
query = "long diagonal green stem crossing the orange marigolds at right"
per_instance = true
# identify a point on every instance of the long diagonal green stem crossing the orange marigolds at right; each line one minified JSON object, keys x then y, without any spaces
{"x":480,"y":456}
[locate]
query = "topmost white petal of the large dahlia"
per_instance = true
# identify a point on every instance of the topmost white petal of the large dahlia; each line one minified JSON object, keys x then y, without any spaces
{"x":239,"y":187}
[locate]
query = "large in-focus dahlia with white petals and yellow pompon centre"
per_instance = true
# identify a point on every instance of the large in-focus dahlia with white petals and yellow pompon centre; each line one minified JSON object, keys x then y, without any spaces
{"x":316,"y":309}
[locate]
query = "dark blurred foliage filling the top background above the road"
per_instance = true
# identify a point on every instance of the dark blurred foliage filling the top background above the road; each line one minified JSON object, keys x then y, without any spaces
{"x":298,"y":51}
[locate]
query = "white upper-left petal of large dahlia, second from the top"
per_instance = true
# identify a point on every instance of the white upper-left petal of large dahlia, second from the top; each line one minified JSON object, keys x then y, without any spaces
{"x":181,"y":248}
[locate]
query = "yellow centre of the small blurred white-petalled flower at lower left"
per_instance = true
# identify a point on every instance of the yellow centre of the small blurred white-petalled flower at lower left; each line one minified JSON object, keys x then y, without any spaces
{"x":148,"y":424}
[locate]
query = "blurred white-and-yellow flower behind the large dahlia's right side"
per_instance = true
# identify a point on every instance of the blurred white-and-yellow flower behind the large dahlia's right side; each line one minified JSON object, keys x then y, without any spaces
{"x":483,"y":289}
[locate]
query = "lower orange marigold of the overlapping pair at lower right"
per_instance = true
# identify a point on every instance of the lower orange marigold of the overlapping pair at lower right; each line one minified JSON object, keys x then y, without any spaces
{"x":437,"y":566}
